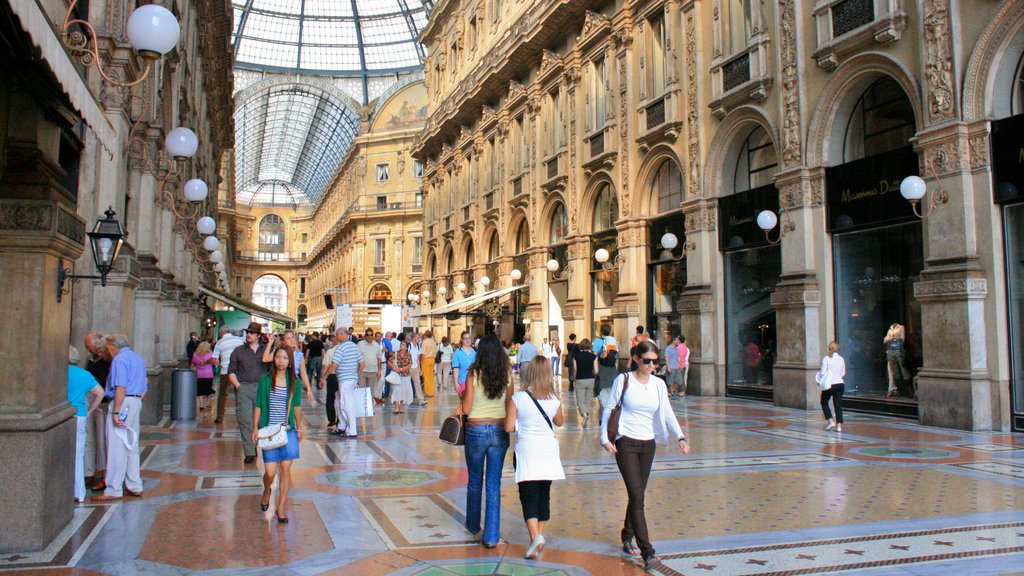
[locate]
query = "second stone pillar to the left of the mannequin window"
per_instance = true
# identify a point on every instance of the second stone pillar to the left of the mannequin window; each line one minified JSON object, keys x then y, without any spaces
{"x":701,"y":301}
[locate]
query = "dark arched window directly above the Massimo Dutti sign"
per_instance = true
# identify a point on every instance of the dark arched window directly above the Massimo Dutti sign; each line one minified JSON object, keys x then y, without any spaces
{"x":882,"y":121}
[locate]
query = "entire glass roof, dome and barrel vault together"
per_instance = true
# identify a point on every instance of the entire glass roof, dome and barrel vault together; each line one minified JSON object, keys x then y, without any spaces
{"x":291,"y":138}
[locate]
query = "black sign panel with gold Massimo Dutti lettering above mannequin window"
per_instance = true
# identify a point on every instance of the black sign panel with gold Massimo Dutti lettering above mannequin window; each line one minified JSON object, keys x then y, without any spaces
{"x":866,"y":193}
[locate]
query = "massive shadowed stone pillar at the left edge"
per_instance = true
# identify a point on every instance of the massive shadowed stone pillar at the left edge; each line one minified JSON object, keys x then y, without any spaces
{"x":39,"y":231}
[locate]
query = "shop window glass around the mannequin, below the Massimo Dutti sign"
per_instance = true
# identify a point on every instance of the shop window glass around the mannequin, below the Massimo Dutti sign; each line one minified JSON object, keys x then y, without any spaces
{"x":875,"y":272}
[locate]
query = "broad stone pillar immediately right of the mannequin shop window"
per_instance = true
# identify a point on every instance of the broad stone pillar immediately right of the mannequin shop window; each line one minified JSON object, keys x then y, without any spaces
{"x":959,"y":386}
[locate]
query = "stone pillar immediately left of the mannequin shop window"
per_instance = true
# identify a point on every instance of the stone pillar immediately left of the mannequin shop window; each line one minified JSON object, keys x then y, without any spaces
{"x":800,"y":333}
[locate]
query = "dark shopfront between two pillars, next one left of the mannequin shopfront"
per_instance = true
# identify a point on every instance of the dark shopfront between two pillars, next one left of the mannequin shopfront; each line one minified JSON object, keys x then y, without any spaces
{"x":752,"y":267}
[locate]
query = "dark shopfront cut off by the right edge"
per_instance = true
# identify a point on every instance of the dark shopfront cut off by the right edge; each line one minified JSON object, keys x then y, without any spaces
{"x":1008,"y":162}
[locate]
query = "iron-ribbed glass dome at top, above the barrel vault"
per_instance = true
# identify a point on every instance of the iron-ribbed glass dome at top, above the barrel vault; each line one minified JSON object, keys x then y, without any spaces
{"x":329,"y":37}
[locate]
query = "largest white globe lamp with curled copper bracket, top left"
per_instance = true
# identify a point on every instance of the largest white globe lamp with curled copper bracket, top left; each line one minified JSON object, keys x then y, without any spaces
{"x":153,"y":31}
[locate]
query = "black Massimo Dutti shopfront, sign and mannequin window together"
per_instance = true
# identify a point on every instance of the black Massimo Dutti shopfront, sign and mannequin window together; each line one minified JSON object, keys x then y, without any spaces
{"x":878,"y":250}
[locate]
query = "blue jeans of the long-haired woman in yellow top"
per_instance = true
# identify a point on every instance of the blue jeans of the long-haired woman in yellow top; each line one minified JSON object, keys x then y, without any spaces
{"x":486,"y":448}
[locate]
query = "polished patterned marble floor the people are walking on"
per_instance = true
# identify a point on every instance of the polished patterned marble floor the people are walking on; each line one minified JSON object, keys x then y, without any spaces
{"x":765,"y":491}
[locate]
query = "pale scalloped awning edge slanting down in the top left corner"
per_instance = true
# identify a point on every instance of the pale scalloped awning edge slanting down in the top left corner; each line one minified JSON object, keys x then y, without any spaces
{"x":36,"y":24}
